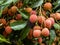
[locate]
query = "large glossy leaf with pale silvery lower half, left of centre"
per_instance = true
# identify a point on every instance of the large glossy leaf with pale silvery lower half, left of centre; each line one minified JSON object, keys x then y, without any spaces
{"x":18,"y":25}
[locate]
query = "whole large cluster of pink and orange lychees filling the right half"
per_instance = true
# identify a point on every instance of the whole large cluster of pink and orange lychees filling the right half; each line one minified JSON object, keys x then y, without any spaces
{"x":43,"y":23}
